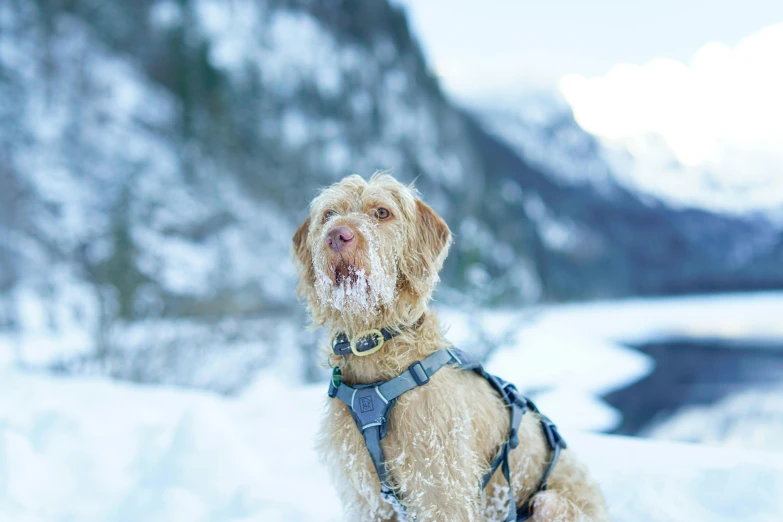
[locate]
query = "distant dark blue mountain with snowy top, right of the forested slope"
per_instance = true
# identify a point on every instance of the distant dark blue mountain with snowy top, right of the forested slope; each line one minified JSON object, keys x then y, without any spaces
{"x":599,"y":234}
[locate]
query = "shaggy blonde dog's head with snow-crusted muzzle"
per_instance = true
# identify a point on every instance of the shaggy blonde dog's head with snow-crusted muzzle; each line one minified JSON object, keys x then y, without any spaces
{"x":369,"y":253}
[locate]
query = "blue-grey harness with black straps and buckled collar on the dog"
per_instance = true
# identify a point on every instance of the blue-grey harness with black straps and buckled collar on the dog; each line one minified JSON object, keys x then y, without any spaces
{"x":370,"y":405}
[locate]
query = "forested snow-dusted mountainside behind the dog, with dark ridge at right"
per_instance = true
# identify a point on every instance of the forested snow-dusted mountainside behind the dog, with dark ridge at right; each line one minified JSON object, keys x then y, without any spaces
{"x":157,"y":155}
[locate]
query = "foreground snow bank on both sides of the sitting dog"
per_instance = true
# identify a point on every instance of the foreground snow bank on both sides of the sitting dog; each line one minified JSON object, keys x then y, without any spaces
{"x":97,"y":450}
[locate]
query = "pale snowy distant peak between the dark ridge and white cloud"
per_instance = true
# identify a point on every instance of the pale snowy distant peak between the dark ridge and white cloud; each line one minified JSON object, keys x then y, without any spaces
{"x":541,"y":126}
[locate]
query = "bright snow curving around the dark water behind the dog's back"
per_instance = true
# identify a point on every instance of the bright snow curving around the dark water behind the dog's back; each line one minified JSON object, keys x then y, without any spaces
{"x":580,"y":351}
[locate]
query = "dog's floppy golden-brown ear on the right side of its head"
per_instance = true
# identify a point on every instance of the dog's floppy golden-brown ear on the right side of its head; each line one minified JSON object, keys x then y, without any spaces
{"x":426,"y":250}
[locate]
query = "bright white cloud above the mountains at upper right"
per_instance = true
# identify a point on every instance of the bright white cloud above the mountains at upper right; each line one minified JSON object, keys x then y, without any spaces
{"x":722,"y":114}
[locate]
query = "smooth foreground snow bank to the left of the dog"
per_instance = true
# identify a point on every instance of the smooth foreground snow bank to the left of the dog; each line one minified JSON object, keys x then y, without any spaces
{"x":97,"y":450}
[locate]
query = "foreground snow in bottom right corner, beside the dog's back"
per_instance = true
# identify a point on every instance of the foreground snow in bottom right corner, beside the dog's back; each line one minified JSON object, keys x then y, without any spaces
{"x":683,"y":482}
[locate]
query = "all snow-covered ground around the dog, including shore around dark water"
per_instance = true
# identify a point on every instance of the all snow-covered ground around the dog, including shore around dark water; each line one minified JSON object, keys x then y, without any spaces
{"x":97,"y":450}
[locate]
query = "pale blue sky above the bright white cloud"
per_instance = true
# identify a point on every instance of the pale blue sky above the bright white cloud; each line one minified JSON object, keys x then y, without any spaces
{"x":482,"y":48}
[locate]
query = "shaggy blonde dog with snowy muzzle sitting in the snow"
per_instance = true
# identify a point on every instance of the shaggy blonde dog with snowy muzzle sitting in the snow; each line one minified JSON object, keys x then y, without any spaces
{"x":368,"y":257}
